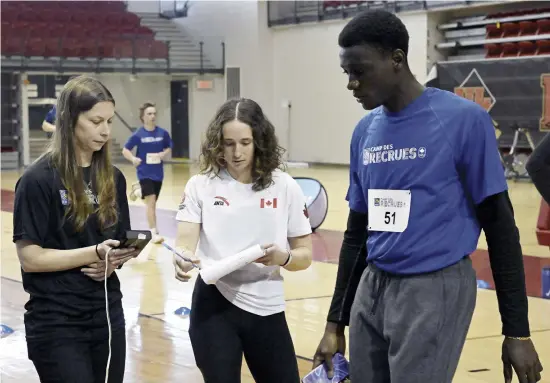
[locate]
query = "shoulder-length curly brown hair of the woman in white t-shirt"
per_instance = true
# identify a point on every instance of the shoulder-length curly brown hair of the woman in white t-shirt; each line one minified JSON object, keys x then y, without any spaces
{"x":267,"y":152}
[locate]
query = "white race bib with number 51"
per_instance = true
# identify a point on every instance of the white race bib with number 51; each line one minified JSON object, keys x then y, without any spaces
{"x":389,"y":210}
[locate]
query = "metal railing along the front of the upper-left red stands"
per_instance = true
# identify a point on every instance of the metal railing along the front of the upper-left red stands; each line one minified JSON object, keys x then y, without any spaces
{"x":102,"y":54}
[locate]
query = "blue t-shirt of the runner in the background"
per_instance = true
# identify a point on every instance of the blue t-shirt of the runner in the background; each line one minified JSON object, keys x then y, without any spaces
{"x":149,"y":142}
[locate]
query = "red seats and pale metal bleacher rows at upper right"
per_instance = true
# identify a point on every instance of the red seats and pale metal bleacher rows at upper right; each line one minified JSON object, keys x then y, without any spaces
{"x":503,"y":34}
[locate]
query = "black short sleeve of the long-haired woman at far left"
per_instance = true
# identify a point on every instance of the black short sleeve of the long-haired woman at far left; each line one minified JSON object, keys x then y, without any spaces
{"x":31,"y":210}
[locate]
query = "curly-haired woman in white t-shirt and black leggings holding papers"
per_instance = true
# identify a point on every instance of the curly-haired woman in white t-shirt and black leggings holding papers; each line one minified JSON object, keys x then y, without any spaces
{"x":240,"y":199}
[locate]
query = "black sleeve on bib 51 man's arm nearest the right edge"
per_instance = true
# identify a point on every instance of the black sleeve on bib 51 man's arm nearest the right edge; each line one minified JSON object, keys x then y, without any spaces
{"x":496,"y":216}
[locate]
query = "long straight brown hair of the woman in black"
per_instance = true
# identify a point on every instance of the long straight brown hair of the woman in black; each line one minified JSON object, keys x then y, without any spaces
{"x":79,"y":95}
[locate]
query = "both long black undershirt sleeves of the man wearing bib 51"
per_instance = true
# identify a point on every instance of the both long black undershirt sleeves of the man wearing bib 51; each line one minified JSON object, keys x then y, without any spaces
{"x":496,"y":217}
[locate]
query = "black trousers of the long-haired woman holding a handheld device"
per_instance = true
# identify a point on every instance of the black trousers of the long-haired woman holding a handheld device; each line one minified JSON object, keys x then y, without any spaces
{"x":71,"y":360}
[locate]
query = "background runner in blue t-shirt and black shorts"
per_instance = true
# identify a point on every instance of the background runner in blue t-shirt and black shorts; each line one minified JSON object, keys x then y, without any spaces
{"x":153,"y":145}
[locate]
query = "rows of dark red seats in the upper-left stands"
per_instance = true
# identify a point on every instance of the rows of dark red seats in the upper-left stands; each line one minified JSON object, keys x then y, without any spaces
{"x":83,"y":29}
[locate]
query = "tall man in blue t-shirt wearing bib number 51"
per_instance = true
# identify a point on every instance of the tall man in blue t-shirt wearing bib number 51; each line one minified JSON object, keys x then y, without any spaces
{"x":425,"y":179}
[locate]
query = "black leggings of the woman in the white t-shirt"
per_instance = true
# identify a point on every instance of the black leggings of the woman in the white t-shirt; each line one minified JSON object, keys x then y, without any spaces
{"x":221,"y":333}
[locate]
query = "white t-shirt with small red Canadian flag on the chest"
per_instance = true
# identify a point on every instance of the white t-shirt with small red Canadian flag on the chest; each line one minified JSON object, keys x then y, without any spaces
{"x":233,"y":217}
